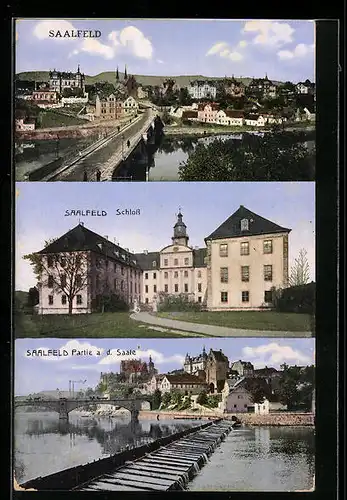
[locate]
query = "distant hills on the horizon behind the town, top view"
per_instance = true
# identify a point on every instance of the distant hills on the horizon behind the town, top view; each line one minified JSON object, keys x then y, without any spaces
{"x":109,"y":76}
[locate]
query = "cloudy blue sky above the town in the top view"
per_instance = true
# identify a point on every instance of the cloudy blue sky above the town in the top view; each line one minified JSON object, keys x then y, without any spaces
{"x":285,"y":50}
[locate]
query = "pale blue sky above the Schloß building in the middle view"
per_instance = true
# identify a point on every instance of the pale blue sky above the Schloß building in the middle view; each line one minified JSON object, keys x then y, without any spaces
{"x":40,"y":209}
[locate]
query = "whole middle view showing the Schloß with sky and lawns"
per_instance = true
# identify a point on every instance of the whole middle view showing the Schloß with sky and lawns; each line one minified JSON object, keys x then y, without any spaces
{"x":165,"y":260}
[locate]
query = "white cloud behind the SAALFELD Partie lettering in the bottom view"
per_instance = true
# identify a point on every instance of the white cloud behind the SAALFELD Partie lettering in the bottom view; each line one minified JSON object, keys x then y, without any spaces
{"x":72,"y":348}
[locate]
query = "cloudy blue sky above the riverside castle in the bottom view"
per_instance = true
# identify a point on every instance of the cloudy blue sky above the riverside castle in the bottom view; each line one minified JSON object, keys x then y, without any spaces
{"x":167,"y":354}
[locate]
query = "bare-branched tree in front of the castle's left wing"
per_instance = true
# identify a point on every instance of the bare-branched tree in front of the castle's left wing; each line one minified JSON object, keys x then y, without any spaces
{"x":66,"y":273}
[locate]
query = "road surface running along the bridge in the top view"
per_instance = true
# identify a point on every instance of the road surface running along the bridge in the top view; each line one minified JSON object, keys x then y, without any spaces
{"x":108,"y":157}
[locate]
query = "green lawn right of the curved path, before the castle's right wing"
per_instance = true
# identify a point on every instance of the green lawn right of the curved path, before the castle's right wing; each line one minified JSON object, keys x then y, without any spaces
{"x":247,"y":320}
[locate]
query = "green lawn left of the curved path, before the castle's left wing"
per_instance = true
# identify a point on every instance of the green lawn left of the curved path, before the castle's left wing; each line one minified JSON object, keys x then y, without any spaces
{"x":106,"y":325}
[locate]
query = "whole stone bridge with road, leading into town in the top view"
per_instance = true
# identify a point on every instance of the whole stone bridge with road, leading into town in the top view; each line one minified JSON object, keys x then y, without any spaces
{"x":109,"y":153}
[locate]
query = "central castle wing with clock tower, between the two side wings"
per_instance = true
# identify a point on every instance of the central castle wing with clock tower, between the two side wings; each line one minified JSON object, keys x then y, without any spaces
{"x":177,"y":269}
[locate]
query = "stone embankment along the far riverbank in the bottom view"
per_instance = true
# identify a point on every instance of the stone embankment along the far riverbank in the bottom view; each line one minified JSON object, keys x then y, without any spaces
{"x":249,"y":419}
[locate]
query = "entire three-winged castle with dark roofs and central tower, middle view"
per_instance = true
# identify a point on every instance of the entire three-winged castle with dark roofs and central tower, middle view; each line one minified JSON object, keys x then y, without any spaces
{"x":244,"y":259}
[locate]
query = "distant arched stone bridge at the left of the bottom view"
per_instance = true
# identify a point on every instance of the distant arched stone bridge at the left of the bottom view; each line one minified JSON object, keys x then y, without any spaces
{"x":65,"y":406}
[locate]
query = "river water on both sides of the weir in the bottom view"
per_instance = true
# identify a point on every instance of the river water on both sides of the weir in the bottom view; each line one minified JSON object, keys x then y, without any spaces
{"x":250,"y":459}
